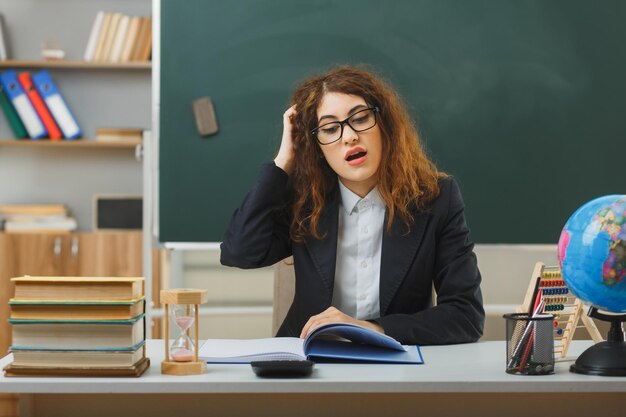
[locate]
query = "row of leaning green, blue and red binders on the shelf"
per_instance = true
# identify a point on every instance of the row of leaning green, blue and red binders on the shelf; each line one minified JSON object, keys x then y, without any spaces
{"x":35,"y":108}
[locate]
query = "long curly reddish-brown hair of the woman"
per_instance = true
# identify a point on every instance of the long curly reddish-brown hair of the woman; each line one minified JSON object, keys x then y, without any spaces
{"x":406,"y":178}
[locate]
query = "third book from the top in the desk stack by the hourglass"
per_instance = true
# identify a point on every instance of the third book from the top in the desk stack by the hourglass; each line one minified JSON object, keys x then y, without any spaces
{"x":78,"y":335}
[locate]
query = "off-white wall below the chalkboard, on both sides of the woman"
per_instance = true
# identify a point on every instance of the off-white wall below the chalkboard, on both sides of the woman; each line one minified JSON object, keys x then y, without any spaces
{"x":506,"y":272}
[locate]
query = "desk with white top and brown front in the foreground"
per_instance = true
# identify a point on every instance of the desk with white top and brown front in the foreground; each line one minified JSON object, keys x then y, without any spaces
{"x":459,"y":380}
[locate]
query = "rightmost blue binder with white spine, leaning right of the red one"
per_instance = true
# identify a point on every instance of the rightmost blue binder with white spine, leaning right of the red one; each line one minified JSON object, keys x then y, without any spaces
{"x":57,"y":105}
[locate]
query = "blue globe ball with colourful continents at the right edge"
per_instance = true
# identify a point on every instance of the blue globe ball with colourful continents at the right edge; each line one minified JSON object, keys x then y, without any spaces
{"x":592,"y":253}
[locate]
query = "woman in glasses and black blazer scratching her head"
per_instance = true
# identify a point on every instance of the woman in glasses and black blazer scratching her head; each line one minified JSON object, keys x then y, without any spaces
{"x":370,"y":222}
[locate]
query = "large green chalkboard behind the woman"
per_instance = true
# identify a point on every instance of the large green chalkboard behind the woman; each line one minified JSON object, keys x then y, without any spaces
{"x":522,"y":101}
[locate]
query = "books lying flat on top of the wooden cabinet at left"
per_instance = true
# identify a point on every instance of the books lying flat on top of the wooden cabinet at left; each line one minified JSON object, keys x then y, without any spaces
{"x":36,"y":218}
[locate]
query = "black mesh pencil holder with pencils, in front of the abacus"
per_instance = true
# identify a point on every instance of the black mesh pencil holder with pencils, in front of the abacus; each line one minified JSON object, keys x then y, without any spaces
{"x":529,"y":344}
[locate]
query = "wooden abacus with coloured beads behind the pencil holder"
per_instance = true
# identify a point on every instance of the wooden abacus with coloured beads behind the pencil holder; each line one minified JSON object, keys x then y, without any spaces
{"x":546,"y":283}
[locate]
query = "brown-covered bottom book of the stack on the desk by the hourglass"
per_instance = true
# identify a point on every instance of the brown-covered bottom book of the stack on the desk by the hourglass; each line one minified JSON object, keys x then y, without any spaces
{"x":131,"y":371}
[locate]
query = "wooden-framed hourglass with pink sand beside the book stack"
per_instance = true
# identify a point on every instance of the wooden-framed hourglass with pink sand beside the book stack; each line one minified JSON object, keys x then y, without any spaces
{"x":181,"y":357}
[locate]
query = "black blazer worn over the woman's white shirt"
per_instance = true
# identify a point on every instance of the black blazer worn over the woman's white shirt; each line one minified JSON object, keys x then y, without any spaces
{"x":436,"y":250}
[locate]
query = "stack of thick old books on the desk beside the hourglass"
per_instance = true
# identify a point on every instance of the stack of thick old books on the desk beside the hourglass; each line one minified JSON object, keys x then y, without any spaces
{"x":83,"y":326}
